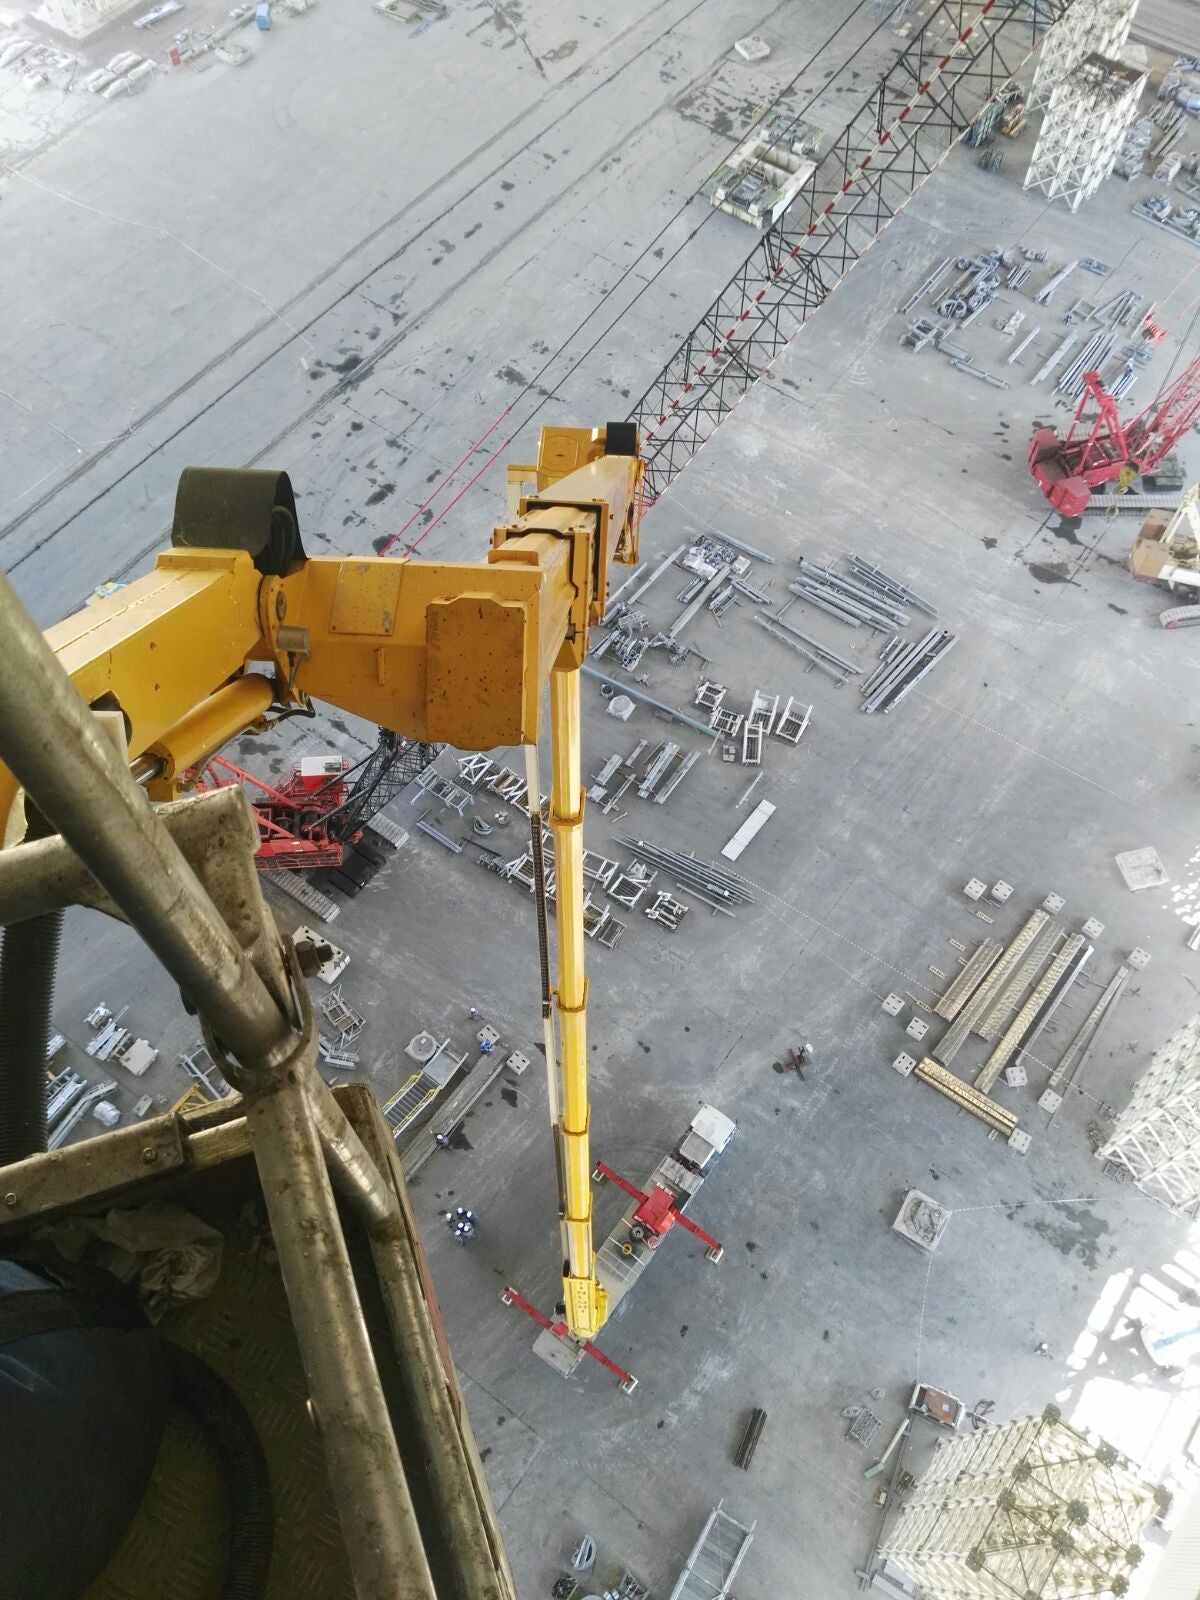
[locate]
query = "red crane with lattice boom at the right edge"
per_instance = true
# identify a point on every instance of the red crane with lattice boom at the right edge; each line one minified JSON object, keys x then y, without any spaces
{"x":1070,"y":470}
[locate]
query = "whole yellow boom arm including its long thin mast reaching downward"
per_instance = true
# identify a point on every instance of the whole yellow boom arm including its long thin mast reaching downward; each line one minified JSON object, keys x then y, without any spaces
{"x":442,"y":652}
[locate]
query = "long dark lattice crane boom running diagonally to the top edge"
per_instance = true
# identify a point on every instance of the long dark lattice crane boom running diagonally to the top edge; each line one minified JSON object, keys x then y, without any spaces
{"x":959,"y":62}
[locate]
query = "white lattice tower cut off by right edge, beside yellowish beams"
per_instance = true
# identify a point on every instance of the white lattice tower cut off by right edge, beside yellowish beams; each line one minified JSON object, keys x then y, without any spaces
{"x":1158,"y":1137}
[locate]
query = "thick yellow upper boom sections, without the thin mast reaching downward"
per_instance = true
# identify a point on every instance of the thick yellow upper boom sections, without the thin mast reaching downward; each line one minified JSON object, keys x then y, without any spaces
{"x":439,"y":652}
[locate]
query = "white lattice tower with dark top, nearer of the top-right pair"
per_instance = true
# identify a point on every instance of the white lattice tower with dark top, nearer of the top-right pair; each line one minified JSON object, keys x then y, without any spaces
{"x":1089,"y":116}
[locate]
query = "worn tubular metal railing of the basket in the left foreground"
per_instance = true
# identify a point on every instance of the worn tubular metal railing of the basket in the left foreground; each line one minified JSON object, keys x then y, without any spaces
{"x":244,"y":978}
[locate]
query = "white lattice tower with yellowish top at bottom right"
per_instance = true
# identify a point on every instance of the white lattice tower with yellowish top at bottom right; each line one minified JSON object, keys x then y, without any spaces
{"x":1026,"y":1511}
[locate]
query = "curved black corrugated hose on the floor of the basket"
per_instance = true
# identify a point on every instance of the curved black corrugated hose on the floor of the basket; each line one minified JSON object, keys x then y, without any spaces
{"x":206,"y":1396}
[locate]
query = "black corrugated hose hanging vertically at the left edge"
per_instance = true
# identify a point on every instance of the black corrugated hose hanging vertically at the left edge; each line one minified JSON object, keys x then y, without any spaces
{"x":28,"y":966}
